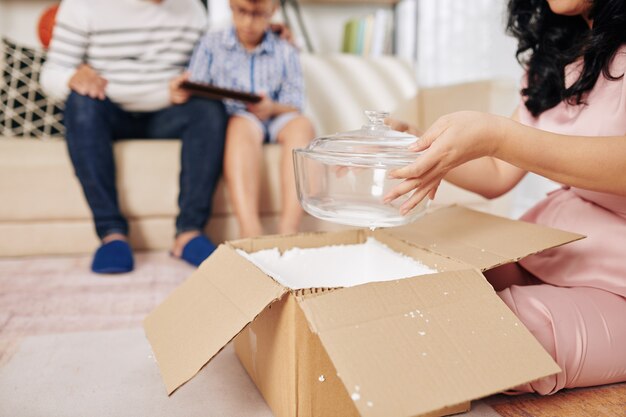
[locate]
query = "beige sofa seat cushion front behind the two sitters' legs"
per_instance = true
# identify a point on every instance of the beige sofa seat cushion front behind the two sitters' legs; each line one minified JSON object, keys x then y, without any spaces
{"x":37,"y":178}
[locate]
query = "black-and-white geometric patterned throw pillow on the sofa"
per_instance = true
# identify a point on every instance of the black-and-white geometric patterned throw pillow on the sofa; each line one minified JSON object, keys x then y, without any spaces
{"x":24,"y":109}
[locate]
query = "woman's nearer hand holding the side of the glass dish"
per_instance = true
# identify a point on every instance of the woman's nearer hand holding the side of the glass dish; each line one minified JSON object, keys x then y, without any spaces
{"x":451,"y":141}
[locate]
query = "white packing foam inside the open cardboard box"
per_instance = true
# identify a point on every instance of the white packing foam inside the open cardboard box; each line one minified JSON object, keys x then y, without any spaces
{"x":337,"y":265}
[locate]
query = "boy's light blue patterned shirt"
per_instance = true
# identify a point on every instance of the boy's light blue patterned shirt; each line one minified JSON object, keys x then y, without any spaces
{"x":273,"y":68}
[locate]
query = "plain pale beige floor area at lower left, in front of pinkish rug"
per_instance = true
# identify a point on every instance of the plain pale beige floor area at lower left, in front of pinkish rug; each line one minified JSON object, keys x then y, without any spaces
{"x":113,"y":373}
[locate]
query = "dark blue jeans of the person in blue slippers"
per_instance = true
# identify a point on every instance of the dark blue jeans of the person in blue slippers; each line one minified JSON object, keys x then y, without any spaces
{"x":93,"y":125}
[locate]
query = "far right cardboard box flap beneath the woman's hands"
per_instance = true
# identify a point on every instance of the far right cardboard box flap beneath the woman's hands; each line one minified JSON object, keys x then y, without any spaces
{"x":479,"y":239}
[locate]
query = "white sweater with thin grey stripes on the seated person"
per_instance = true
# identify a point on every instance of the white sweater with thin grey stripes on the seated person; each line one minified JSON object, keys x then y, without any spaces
{"x":138,"y":46}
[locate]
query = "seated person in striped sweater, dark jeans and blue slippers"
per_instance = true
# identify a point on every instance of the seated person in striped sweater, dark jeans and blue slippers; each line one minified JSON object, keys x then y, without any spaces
{"x":118,"y":65}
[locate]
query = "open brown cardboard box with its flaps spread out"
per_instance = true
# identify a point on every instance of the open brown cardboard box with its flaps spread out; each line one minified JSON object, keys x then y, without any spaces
{"x":426,"y":345}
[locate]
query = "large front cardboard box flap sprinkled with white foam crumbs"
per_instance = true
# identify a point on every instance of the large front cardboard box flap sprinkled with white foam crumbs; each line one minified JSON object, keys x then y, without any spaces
{"x":417,"y":345}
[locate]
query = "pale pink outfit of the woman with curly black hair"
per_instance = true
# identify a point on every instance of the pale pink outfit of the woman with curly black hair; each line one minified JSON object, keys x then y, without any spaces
{"x":576,"y":308}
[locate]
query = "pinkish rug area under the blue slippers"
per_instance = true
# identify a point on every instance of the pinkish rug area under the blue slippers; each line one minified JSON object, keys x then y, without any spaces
{"x":60,"y":294}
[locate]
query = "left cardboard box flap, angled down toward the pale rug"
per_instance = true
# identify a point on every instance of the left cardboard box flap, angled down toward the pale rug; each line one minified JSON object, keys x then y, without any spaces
{"x":207,"y":311}
